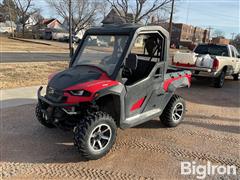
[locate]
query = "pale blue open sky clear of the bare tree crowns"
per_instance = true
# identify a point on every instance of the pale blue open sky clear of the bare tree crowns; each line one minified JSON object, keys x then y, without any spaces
{"x":221,"y":15}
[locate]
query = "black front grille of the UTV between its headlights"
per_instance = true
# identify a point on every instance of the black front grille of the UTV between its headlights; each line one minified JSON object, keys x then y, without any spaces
{"x":55,"y":95}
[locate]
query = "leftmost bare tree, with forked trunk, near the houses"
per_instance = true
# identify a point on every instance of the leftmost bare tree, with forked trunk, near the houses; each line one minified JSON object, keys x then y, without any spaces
{"x":24,"y":11}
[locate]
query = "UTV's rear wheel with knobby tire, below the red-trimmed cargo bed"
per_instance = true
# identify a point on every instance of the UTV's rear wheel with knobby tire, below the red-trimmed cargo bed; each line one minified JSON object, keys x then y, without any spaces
{"x":174,"y":112}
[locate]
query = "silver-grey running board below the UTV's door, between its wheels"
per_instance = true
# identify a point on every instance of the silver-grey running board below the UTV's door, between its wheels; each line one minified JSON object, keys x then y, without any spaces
{"x":140,"y":118}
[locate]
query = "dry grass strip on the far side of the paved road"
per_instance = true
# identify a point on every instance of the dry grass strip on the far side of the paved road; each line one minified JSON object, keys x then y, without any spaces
{"x":11,"y":45}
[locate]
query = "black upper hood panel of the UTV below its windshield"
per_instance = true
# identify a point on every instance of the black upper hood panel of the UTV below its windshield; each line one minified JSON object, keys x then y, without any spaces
{"x":73,"y":76}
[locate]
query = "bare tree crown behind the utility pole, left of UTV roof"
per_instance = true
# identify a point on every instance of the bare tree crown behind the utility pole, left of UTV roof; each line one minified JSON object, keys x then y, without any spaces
{"x":83,"y":11}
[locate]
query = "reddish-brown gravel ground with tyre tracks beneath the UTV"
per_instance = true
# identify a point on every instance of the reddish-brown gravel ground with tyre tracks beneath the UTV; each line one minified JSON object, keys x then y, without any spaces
{"x":210,"y":132}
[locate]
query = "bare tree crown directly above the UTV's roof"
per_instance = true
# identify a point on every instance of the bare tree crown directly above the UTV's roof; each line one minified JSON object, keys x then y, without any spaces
{"x":141,"y":9}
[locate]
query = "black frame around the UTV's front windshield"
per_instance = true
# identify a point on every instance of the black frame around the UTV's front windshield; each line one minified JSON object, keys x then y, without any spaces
{"x":121,"y":58}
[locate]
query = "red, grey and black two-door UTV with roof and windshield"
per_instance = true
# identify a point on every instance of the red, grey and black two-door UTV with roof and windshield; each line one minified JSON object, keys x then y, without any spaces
{"x":121,"y":84}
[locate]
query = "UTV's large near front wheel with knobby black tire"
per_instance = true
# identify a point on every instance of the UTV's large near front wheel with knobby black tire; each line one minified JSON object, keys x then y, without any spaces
{"x":95,"y":135}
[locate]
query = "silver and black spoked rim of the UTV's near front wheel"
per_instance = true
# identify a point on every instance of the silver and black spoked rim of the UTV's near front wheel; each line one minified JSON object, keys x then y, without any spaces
{"x":100,"y":137}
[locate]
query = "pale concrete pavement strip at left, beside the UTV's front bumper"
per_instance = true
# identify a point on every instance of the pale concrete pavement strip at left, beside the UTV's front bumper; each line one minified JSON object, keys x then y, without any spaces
{"x":18,"y":96}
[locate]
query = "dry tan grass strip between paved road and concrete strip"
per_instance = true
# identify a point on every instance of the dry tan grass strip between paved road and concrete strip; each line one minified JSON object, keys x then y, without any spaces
{"x":14,"y":75}
